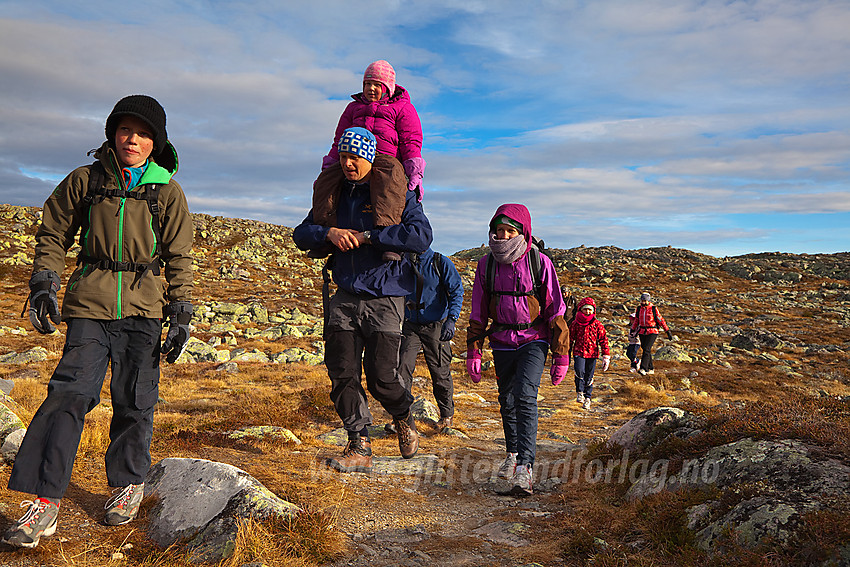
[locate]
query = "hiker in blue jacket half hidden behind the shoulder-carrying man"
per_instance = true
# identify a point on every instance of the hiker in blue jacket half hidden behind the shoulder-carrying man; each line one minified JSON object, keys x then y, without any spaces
{"x":430,"y":314}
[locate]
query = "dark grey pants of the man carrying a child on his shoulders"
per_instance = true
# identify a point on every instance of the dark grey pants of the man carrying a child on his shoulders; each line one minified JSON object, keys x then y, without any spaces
{"x":364,"y":331}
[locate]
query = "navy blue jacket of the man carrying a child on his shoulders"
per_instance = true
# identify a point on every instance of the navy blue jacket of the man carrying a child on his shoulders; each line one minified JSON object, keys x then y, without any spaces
{"x":362,"y":271}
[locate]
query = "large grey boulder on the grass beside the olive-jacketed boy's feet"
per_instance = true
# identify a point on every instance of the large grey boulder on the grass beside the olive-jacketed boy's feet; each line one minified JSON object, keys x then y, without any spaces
{"x":200,"y":503}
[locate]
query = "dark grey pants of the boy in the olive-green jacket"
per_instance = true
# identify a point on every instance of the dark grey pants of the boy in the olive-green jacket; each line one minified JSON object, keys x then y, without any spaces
{"x":44,"y":462}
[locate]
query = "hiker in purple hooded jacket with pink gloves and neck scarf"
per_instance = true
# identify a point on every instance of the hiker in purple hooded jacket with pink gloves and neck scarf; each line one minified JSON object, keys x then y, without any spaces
{"x":528,"y":319}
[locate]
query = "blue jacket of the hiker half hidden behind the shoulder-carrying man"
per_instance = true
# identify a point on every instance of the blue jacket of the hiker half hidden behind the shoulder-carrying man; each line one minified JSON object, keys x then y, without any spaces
{"x":441,"y":297}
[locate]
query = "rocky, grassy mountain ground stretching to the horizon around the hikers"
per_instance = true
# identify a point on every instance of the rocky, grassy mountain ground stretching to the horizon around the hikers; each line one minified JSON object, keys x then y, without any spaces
{"x":745,"y":462}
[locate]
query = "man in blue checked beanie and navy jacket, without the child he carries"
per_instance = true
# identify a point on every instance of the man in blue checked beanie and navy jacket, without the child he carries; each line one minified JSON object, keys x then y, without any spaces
{"x":367,"y":309}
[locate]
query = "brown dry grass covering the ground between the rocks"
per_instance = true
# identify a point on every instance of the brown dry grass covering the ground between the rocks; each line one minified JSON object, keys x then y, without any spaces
{"x":200,"y":405}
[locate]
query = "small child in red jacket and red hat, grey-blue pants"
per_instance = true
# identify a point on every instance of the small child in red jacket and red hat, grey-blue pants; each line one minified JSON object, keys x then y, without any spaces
{"x":587,"y":341}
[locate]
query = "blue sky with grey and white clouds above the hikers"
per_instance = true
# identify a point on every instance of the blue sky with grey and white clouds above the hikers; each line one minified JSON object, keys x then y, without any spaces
{"x":718,"y":126}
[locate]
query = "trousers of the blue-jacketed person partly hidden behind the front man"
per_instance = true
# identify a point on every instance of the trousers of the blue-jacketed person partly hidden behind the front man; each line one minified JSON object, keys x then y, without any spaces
{"x":438,"y":357}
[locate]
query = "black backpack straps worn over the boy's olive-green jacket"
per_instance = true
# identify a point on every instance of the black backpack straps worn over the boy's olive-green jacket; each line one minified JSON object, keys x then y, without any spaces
{"x":96,"y":193}
